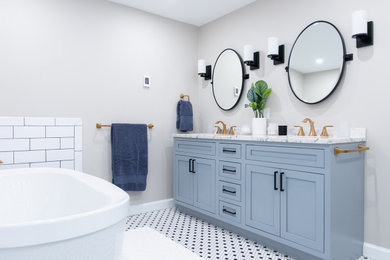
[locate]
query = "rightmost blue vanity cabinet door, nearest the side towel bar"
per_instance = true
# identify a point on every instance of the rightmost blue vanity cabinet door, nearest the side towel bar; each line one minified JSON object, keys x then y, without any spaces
{"x":302,"y":208}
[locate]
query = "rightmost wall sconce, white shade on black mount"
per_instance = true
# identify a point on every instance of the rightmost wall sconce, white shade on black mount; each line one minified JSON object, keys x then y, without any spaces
{"x":362,"y":30}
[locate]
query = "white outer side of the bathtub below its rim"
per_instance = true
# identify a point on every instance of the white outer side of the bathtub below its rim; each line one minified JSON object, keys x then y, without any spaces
{"x":105,"y":244}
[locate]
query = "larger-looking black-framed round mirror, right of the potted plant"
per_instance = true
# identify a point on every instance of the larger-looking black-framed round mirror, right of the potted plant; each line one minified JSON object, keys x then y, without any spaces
{"x":316,"y":62}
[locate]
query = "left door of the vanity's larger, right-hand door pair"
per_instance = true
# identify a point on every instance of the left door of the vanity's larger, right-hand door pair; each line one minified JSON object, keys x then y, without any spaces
{"x":262,"y":199}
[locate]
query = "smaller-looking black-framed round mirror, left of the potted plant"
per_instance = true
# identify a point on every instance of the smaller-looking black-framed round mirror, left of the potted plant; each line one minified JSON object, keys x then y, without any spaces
{"x":228,"y":79}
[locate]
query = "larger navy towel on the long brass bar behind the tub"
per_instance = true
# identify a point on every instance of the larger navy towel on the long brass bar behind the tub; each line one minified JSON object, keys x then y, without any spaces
{"x":129,"y":144}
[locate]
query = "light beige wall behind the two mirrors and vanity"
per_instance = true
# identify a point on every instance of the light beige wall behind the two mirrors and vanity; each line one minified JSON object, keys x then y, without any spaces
{"x":361,"y":99}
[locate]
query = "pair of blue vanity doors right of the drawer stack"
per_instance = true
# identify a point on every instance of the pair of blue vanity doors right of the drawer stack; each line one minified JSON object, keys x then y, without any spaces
{"x":286,"y":203}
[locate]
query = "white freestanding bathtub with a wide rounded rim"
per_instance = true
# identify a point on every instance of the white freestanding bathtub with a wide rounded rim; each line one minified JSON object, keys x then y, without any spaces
{"x":57,"y":214}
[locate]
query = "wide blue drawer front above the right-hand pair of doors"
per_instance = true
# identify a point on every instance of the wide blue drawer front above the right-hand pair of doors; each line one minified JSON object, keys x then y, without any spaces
{"x":309,"y":157}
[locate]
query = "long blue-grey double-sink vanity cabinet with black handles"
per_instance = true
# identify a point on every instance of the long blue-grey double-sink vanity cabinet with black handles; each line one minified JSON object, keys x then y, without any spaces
{"x":301,"y":199}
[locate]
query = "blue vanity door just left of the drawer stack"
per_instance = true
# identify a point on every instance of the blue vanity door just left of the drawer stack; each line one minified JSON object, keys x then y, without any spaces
{"x":205,"y":184}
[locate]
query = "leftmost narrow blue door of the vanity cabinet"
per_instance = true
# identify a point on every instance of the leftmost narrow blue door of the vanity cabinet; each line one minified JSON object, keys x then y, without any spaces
{"x":184,"y":180}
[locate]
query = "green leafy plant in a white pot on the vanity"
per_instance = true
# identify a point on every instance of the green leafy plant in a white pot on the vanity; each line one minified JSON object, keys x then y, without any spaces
{"x":258,"y":95}
